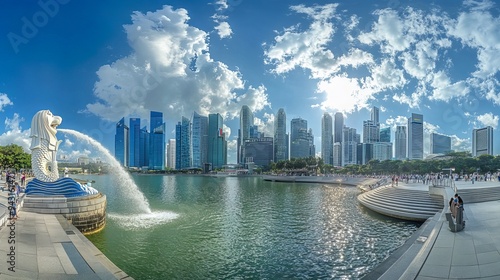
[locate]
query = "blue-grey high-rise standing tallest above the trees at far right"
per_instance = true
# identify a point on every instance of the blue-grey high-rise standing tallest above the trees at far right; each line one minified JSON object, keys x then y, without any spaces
{"x":416,"y":136}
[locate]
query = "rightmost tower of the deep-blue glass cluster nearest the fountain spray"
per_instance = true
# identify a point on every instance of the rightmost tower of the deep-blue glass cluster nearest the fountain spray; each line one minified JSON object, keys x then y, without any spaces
{"x":157,"y":141}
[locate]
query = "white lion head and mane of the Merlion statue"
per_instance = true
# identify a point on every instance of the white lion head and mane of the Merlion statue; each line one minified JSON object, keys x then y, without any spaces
{"x":44,"y":127}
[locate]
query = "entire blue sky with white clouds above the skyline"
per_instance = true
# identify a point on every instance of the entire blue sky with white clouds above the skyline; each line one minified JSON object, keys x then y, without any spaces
{"x":94,"y":62}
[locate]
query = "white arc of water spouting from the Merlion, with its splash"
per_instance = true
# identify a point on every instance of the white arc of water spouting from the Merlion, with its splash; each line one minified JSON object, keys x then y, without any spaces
{"x":145,"y":218}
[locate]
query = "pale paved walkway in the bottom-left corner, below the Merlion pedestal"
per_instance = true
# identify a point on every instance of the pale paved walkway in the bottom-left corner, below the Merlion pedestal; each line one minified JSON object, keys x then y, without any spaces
{"x":49,"y":247}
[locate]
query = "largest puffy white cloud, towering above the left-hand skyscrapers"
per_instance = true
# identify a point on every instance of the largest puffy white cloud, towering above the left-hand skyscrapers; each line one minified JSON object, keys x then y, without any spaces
{"x":169,"y":68}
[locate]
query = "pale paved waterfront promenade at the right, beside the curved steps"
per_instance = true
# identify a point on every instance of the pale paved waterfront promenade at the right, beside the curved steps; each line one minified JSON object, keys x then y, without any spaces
{"x":435,"y":252}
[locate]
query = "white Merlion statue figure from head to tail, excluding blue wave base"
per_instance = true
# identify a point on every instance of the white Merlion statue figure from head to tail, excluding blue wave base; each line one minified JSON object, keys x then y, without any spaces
{"x":44,"y":145}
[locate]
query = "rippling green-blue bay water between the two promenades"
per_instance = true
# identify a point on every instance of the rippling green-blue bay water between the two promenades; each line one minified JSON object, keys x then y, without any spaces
{"x":227,"y":228}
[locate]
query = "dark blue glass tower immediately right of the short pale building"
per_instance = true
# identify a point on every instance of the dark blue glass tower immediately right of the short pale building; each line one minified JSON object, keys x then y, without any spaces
{"x":183,"y":144}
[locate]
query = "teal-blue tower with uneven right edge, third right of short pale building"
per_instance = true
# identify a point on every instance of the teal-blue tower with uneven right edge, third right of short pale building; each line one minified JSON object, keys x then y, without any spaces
{"x":217,"y":144}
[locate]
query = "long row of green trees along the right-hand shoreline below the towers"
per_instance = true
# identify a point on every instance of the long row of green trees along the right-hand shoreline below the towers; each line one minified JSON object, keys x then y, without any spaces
{"x":462,"y":162}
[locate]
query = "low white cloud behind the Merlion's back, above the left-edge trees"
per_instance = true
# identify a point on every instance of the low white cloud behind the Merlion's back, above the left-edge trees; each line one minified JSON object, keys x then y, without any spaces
{"x":15,"y":134}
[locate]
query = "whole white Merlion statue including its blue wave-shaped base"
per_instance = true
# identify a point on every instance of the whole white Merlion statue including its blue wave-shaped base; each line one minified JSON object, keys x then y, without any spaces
{"x":44,"y":145}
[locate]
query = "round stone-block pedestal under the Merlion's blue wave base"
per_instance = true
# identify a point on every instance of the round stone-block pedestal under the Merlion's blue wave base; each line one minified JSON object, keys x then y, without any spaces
{"x":86,"y":213}
